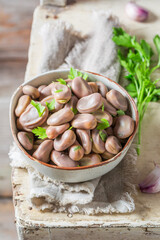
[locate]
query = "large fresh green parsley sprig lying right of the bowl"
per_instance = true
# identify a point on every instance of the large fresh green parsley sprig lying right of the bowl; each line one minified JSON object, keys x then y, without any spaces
{"x":136,"y":58}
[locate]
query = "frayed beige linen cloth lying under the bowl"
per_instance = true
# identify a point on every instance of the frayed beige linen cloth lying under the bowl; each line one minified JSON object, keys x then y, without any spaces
{"x":63,"y":48}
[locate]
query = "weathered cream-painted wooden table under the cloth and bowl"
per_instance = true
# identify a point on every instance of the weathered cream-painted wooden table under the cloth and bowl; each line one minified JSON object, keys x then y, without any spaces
{"x":144,"y":223}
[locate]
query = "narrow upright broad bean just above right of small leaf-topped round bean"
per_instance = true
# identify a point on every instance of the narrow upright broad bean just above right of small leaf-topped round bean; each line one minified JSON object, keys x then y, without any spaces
{"x":85,"y":140}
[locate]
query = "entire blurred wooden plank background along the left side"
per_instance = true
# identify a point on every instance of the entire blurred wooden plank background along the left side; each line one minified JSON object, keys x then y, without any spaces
{"x":15,"y":27}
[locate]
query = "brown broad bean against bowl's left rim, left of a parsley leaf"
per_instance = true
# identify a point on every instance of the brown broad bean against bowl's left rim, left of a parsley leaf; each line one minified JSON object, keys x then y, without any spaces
{"x":26,"y":139}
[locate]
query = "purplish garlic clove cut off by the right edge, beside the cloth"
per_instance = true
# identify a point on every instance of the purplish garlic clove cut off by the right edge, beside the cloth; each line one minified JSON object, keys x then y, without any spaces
{"x":151,"y":183}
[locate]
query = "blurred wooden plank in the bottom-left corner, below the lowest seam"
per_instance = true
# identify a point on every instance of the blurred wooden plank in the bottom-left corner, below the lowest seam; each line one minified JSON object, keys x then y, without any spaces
{"x":7,"y":220}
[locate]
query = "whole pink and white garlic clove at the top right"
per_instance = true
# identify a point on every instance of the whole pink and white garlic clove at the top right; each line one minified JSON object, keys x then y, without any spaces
{"x":136,"y":12}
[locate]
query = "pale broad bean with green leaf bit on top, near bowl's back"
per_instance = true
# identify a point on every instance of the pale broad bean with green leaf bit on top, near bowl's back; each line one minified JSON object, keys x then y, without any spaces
{"x":62,"y":93}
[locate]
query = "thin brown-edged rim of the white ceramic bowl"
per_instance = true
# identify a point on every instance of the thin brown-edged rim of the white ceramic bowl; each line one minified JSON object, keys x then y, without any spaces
{"x":81,"y":167}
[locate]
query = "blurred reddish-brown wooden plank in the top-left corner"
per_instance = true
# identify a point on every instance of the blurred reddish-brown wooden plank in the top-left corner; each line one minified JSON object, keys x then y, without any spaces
{"x":16,"y":20}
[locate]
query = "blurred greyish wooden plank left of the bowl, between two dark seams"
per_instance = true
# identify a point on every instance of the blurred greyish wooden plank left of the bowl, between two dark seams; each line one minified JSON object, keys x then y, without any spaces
{"x":12,"y":74}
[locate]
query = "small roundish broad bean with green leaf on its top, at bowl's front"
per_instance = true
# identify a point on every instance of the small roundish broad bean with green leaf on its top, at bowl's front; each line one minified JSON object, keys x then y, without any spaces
{"x":76,"y":151}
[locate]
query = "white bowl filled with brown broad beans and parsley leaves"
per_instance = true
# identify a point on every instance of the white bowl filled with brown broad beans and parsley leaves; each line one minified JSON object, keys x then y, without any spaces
{"x":73,"y":125}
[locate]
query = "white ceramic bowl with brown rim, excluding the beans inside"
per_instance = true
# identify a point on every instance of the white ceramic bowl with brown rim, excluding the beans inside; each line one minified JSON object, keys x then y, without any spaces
{"x":79,"y":174}
